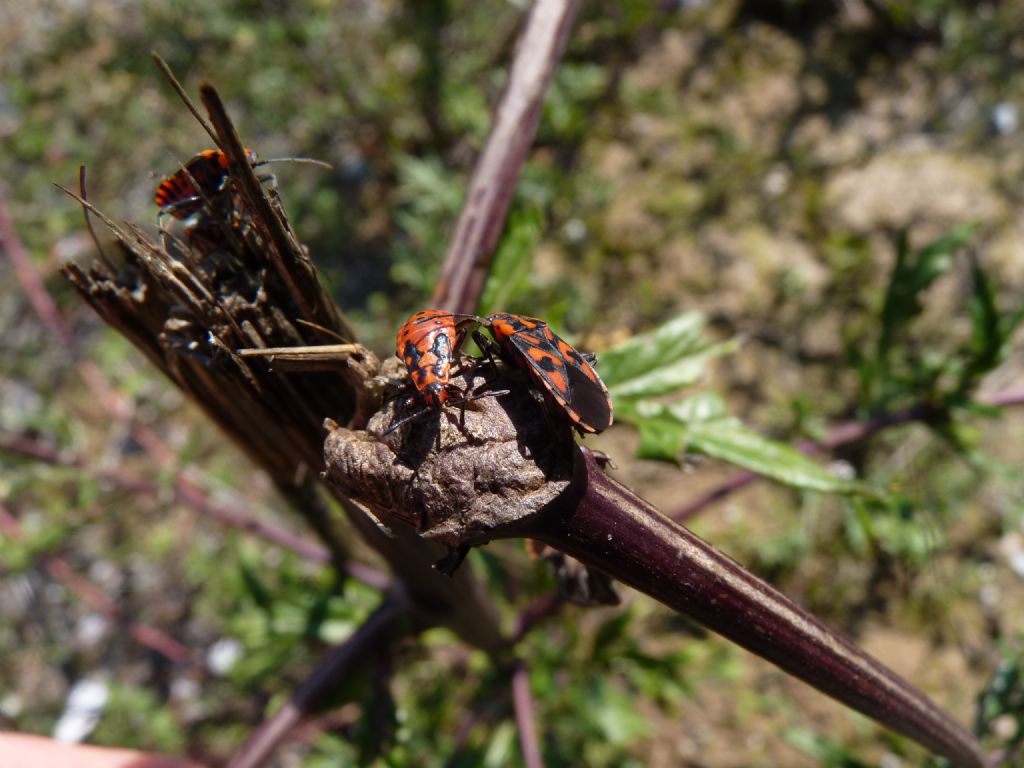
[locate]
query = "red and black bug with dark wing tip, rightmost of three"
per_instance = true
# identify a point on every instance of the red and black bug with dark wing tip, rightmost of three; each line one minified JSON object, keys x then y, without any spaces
{"x":562,"y":372}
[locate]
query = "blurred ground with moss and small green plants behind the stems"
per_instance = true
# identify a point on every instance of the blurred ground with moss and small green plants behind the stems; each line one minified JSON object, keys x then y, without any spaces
{"x":765,"y":163}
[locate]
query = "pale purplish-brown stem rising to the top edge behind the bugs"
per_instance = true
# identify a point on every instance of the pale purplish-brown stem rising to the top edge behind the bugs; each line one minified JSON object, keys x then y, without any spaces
{"x":493,"y":186}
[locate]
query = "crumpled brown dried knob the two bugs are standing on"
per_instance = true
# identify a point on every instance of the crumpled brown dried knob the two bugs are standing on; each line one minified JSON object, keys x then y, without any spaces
{"x":458,"y":474}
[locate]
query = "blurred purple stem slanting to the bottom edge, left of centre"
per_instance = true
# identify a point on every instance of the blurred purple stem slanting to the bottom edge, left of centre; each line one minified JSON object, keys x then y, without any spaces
{"x":375,"y":635}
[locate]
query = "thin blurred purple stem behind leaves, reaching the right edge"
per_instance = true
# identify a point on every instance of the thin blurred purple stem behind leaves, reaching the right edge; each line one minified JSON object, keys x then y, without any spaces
{"x":844,"y":435}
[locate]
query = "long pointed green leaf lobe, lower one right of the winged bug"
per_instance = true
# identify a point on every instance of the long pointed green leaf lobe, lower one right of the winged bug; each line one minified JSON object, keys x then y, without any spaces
{"x":702,"y":424}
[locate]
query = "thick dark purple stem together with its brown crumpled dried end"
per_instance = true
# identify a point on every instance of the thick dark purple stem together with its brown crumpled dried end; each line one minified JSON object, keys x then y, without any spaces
{"x":505,"y":473}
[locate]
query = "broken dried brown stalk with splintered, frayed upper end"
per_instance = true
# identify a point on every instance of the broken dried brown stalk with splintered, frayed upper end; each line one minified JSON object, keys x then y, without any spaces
{"x":191,"y":302}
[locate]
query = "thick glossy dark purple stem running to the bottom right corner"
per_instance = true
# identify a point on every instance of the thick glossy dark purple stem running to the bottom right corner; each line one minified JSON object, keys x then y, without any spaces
{"x":613,"y":530}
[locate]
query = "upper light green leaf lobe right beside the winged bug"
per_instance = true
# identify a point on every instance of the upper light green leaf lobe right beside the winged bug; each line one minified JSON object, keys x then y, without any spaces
{"x":669,"y":358}
